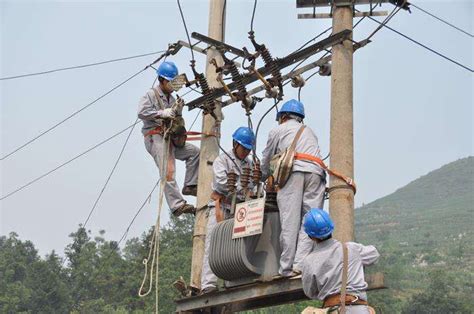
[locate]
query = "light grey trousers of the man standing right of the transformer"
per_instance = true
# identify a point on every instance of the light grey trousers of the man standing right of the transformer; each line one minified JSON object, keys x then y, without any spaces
{"x":302,"y":191}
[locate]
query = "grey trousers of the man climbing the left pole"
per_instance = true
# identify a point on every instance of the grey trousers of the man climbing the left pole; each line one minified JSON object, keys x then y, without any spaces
{"x":189,"y":153}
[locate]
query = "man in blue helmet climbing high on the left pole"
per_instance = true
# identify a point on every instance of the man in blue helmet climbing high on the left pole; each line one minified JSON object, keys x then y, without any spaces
{"x":157,"y":108}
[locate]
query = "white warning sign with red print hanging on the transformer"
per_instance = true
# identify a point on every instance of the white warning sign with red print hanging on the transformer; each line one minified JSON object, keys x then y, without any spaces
{"x":248,"y":219}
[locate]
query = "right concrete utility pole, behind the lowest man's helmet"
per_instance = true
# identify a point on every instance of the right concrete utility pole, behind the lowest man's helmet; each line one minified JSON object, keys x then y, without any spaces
{"x":341,"y":198}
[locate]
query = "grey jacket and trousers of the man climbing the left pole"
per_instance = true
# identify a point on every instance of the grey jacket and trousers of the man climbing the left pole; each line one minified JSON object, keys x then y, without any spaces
{"x":149,"y":110}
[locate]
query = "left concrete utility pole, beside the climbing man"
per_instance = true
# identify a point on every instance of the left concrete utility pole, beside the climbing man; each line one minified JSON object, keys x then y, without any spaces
{"x":209,"y":147}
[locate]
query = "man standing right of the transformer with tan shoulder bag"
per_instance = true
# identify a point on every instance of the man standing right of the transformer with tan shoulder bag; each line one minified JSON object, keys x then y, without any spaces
{"x":303,"y":187}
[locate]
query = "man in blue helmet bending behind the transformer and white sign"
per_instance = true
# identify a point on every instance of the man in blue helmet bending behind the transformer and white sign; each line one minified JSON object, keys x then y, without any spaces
{"x":220,"y":204}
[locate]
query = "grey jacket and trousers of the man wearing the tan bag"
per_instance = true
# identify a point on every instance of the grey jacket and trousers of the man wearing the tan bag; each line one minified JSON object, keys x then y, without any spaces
{"x":303,"y":190}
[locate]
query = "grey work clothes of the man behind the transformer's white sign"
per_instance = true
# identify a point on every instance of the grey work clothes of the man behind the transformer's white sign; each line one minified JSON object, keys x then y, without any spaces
{"x":221,"y":166}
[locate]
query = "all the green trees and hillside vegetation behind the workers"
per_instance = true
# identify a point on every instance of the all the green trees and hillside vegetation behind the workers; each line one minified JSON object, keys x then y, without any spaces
{"x":423,"y":232}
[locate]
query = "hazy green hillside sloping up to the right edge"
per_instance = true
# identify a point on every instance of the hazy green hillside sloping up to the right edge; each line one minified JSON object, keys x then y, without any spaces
{"x":424,"y":232}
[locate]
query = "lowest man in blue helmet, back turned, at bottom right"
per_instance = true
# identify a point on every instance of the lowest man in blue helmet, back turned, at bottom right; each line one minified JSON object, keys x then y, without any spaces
{"x":323,"y":267}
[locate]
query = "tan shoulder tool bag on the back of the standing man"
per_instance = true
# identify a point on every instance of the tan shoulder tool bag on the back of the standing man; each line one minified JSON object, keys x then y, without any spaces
{"x":281,"y":164}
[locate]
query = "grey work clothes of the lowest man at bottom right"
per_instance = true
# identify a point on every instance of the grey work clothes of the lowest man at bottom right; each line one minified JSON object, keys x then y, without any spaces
{"x":322,"y":271}
